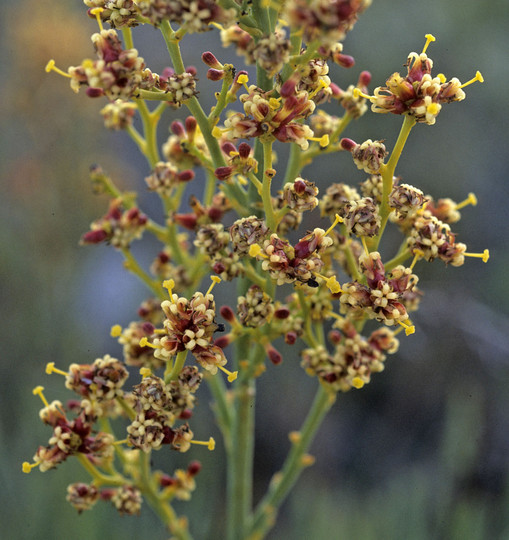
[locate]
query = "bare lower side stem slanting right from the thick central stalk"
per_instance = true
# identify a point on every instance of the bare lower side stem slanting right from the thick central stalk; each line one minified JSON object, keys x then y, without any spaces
{"x":284,"y":480}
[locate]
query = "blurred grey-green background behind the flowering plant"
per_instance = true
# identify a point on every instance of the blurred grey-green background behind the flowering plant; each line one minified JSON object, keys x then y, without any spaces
{"x":420,"y":453}
